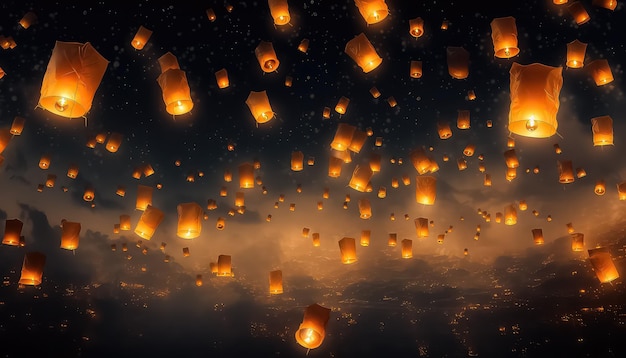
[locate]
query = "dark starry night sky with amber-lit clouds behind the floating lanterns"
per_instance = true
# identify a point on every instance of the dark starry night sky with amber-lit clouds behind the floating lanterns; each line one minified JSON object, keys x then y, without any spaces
{"x":485,"y":289}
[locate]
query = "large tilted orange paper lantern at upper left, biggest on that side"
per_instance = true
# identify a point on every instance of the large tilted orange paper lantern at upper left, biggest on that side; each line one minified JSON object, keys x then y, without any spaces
{"x":72,"y":77}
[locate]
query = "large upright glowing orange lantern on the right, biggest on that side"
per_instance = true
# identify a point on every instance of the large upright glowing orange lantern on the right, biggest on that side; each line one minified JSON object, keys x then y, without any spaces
{"x":534,"y":95}
